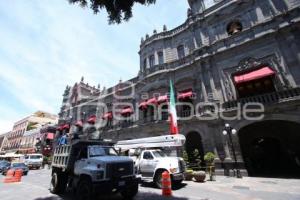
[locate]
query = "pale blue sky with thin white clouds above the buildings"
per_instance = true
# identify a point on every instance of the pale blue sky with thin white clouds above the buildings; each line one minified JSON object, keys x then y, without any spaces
{"x":48,"y":44}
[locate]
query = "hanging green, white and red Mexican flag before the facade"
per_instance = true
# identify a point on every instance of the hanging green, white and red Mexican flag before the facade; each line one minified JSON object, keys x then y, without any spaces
{"x":172,"y":111}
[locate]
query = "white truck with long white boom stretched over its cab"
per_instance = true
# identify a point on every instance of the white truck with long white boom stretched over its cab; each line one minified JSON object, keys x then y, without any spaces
{"x":151,"y":161}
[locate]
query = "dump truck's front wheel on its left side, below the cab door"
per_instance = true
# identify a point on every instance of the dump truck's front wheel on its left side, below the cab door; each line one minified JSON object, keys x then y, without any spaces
{"x":84,"y":190}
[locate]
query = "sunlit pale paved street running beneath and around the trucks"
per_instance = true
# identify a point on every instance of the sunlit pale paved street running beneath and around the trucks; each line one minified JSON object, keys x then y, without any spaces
{"x":35,"y":187}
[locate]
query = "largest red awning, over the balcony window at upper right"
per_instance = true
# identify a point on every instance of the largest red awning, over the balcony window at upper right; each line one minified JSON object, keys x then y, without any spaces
{"x":256,"y":74}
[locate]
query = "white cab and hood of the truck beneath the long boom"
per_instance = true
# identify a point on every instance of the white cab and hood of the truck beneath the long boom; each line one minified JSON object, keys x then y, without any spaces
{"x":153,"y":162}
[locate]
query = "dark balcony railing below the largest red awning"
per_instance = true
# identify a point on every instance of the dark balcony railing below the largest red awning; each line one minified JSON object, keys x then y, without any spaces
{"x":270,"y":98}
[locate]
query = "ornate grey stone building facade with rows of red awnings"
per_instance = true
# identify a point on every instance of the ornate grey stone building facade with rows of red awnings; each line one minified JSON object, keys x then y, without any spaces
{"x":226,"y":54}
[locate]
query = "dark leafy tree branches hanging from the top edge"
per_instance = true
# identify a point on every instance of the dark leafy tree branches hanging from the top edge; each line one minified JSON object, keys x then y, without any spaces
{"x":118,"y":10}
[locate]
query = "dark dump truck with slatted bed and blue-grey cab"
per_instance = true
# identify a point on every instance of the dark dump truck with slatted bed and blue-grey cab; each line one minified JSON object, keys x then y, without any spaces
{"x":90,"y":168}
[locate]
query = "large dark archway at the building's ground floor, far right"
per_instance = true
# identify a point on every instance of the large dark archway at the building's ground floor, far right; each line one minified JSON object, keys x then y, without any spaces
{"x":271,"y":148}
